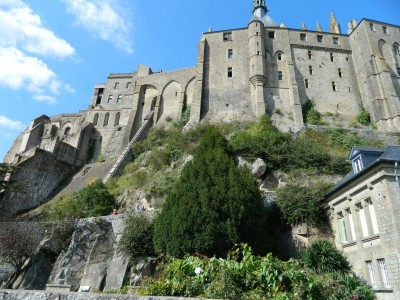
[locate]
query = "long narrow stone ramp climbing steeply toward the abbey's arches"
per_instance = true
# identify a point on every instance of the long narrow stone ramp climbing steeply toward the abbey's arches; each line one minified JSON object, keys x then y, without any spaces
{"x":124,"y":158}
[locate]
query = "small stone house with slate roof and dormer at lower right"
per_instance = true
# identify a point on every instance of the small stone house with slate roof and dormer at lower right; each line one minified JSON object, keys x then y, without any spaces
{"x":365,"y":215}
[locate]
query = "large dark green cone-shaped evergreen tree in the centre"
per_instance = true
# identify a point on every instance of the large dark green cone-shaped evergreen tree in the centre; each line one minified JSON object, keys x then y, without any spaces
{"x":213,"y":206}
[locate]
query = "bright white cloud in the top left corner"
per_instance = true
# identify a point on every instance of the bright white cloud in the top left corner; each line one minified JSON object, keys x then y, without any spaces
{"x":22,"y":28}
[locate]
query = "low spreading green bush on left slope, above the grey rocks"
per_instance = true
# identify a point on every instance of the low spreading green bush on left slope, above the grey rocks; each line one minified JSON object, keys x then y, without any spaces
{"x":92,"y":201}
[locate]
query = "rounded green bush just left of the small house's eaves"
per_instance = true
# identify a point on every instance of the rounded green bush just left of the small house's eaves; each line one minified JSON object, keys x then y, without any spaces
{"x":303,"y":204}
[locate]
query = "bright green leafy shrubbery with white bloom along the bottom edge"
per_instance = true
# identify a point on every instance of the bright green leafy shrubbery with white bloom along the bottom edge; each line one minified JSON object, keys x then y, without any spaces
{"x":246,"y":276}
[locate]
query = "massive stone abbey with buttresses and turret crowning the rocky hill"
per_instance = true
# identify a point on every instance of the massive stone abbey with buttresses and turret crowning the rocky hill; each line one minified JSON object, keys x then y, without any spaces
{"x":240,"y":74}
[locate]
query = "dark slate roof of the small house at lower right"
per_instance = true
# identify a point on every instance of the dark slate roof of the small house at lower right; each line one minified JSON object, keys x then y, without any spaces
{"x":388,"y":154}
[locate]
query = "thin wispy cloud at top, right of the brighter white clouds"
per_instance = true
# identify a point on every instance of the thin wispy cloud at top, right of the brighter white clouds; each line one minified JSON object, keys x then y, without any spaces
{"x":105,"y":19}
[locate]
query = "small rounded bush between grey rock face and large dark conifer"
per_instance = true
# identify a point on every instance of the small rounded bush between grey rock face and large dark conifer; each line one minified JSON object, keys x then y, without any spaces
{"x":137,"y":238}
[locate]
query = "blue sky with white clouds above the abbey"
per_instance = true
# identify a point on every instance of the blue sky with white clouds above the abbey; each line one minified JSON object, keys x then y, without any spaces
{"x":52,"y":52}
